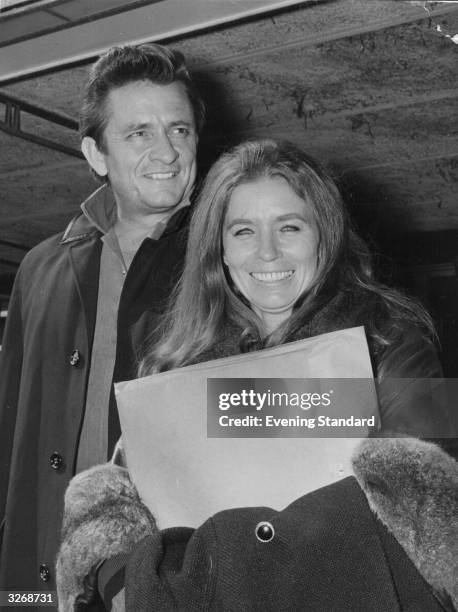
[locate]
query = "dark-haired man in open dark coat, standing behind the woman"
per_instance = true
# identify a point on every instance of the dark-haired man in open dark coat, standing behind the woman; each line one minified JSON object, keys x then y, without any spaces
{"x":84,"y":300}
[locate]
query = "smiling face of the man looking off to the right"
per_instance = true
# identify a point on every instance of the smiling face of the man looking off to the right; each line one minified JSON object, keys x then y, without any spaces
{"x":149,"y":151}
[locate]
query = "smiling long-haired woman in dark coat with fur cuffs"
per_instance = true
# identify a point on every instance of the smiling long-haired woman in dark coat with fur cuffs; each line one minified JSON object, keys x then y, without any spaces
{"x":272,"y":258}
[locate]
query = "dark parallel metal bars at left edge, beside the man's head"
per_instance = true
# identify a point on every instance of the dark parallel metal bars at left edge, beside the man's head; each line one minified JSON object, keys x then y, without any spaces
{"x":12,"y":124}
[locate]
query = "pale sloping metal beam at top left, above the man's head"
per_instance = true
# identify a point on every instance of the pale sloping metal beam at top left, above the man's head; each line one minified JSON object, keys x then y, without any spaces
{"x":155,"y":22}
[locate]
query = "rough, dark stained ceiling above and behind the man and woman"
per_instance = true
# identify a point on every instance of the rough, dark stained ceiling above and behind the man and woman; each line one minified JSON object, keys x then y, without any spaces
{"x":368,"y":87}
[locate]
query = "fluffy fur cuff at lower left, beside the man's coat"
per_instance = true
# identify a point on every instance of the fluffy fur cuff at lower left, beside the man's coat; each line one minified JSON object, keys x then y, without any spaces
{"x":103,"y":516}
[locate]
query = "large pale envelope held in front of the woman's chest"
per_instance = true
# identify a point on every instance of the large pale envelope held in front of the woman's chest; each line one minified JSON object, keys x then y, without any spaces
{"x":184,"y":476}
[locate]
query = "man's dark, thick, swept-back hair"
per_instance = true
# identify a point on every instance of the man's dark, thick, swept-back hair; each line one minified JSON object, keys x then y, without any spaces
{"x":126,"y":64}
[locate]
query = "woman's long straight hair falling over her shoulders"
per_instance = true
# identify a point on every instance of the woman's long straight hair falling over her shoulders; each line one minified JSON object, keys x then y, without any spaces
{"x":205,"y":300}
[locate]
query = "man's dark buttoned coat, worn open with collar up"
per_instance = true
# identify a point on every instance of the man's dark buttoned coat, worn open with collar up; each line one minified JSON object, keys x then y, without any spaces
{"x":44,"y":373}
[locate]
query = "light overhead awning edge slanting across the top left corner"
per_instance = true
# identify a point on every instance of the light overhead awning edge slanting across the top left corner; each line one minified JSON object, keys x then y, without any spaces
{"x":46,"y":34}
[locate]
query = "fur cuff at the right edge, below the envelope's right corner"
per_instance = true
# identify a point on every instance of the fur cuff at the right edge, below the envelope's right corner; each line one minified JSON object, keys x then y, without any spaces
{"x":412,"y":486}
